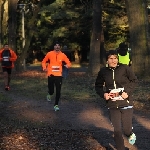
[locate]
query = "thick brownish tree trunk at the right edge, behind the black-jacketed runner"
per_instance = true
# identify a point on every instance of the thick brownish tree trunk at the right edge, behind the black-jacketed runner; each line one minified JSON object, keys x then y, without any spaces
{"x":138,"y":27}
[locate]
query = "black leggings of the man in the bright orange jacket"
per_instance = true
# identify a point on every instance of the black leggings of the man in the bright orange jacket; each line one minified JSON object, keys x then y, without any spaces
{"x":57,"y":82}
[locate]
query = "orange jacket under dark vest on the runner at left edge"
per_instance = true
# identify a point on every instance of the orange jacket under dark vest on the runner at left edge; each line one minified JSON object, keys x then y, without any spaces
{"x":12,"y":58}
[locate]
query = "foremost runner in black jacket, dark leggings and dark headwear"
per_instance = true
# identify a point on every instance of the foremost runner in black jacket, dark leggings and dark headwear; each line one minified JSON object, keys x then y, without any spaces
{"x":119,"y":82}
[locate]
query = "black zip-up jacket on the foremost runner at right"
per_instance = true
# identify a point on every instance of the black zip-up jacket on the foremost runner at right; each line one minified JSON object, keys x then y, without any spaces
{"x":113,"y":78}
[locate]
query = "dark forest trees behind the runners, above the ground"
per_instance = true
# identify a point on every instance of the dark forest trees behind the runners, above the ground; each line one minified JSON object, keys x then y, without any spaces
{"x":86,"y":28}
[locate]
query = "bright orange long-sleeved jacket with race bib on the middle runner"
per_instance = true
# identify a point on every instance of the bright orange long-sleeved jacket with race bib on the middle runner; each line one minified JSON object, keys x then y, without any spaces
{"x":53,"y":63}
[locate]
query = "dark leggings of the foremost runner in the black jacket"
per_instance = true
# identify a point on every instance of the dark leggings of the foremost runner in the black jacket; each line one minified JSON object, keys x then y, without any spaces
{"x":121,"y":119}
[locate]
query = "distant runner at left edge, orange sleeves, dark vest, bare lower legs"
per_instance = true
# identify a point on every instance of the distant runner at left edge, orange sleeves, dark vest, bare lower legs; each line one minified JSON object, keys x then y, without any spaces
{"x":7,"y":59}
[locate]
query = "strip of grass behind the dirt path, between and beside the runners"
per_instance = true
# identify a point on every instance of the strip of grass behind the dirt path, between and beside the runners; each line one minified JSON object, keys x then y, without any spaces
{"x":33,"y":85}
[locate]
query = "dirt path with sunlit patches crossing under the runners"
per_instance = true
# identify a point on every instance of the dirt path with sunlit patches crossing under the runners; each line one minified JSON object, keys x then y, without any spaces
{"x":90,"y":116}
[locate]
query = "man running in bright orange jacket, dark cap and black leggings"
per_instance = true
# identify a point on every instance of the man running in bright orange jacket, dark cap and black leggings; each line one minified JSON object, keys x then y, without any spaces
{"x":52,"y":64}
